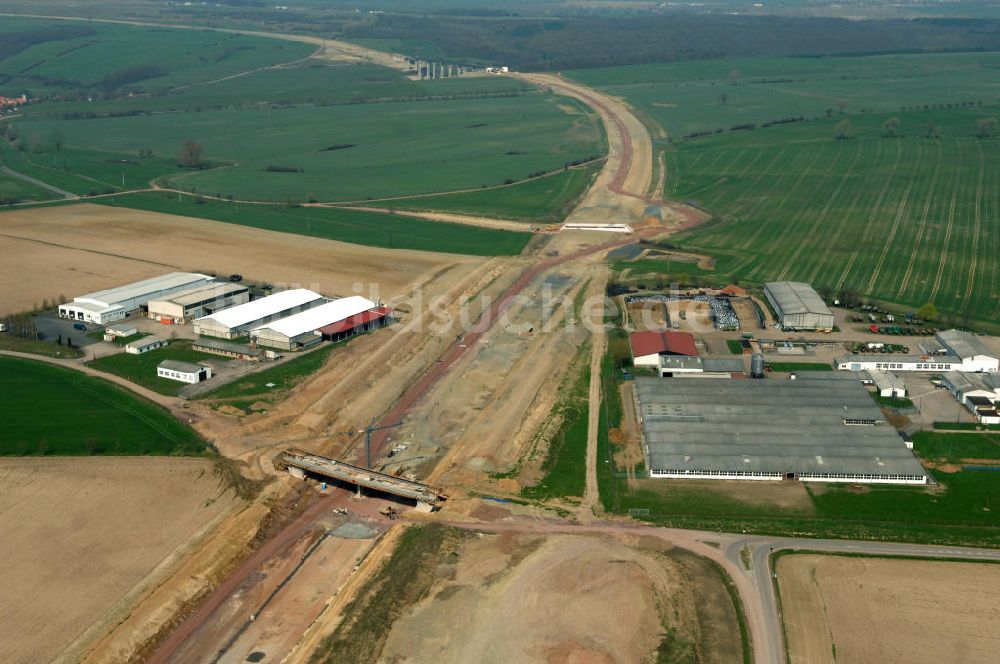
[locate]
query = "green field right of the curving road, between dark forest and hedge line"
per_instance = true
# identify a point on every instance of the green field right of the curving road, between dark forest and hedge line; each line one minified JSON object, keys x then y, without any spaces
{"x":685,"y":97}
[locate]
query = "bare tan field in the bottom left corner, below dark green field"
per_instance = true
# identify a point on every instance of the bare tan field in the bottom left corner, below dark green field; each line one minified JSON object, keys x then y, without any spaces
{"x":84,"y":538}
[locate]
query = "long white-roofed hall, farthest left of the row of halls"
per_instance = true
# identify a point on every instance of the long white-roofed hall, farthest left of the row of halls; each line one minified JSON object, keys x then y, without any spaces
{"x":115,"y":304}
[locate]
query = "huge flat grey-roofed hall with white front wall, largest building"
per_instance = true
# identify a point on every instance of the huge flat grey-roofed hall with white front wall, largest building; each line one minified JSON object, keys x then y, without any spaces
{"x":814,"y":431}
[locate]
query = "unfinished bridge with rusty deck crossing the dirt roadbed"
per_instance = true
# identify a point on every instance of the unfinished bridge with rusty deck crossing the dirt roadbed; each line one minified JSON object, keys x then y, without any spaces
{"x":298,"y":463}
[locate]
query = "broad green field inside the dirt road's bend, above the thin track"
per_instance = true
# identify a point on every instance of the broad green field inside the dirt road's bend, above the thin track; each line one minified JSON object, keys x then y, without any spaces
{"x":345,"y":153}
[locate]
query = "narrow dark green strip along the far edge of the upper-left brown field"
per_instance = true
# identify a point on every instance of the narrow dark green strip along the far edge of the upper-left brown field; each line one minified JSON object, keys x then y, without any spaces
{"x":358,"y":227}
